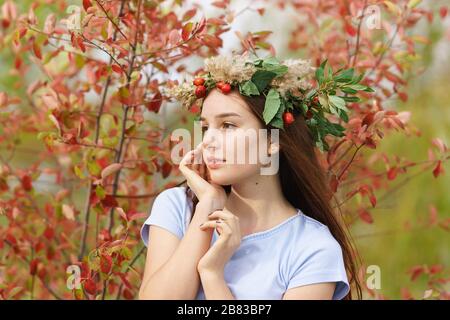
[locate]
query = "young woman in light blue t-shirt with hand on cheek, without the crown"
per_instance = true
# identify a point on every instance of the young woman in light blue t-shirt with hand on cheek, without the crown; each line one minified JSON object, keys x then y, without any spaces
{"x":233,"y":233}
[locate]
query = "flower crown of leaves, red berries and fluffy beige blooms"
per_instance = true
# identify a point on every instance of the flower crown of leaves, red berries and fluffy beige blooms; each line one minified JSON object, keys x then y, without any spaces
{"x":291,"y":88}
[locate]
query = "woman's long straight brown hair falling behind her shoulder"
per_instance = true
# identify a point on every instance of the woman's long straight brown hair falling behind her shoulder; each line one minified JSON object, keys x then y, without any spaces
{"x":304,"y":184}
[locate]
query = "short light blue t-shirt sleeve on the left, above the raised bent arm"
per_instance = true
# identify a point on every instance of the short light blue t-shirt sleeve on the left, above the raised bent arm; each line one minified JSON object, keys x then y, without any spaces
{"x":167,"y":212}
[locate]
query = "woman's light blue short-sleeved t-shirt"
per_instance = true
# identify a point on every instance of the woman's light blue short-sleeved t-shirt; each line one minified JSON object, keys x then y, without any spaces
{"x":299,"y":251}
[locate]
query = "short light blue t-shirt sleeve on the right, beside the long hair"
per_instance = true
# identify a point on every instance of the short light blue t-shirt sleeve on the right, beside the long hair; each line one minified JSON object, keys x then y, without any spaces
{"x":322,"y":263}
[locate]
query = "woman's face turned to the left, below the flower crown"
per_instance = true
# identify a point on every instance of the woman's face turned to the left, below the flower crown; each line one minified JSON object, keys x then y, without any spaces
{"x":231,"y":138}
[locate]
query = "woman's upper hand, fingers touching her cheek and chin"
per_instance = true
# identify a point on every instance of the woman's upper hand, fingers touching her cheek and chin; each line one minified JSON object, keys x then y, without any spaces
{"x":195,"y":171}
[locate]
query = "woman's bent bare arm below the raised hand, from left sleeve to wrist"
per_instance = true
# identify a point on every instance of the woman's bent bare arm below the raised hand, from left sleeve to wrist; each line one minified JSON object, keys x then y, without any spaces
{"x":171,"y":265}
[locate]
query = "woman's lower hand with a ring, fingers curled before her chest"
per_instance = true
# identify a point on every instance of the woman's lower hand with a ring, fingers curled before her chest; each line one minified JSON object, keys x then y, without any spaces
{"x":229,"y":240}
